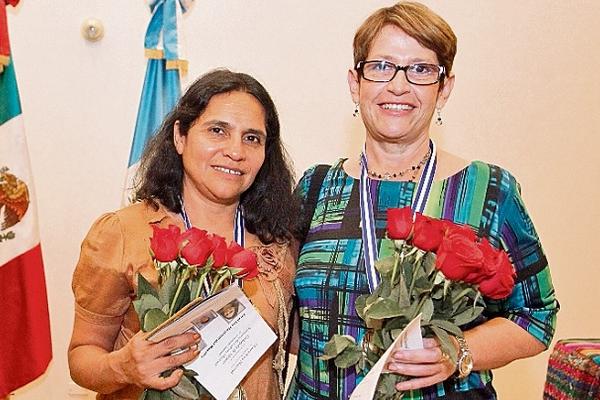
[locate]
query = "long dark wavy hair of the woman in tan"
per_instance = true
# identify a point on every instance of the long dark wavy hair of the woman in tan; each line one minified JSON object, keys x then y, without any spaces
{"x":270,"y":209}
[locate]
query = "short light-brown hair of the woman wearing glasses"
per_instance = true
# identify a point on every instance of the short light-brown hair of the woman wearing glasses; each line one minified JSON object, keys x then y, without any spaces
{"x":418,"y":21}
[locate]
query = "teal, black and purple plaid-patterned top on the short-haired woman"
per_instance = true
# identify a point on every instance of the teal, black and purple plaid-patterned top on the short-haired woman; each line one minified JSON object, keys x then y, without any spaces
{"x":331,"y":272}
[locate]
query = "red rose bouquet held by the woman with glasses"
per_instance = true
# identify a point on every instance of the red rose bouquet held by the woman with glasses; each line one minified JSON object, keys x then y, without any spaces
{"x":438,"y":269}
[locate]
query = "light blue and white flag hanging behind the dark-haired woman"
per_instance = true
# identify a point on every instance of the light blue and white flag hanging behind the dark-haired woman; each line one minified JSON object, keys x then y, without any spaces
{"x":162,"y":87}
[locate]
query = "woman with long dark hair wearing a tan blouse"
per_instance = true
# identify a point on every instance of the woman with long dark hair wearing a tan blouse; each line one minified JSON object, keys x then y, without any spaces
{"x":217,"y":158}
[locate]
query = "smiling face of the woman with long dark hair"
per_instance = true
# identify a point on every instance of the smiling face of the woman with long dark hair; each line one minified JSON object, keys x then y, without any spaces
{"x":224,"y":148}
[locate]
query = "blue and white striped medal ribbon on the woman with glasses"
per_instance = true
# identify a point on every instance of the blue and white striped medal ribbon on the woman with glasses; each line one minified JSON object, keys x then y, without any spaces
{"x":367,"y":215}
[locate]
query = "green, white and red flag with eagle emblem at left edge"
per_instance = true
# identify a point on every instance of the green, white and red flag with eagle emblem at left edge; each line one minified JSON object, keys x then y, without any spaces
{"x":25,"y":348}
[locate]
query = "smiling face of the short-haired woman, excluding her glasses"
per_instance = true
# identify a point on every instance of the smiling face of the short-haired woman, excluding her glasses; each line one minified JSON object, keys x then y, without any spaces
{"x":398,"y":111}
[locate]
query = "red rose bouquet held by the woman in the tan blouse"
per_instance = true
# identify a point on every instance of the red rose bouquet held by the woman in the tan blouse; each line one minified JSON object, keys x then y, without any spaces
{"x":189,"y":264}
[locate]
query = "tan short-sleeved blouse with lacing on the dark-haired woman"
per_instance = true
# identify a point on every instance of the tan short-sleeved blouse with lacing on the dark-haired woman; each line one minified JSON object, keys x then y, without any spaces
{"x":117,"y":248}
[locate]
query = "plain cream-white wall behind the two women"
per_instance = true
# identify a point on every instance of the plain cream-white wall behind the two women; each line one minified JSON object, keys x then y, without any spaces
{"x":527,"y":97}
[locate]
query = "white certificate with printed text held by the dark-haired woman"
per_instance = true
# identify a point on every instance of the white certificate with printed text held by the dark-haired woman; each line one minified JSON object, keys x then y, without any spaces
{"x":233,"y":337}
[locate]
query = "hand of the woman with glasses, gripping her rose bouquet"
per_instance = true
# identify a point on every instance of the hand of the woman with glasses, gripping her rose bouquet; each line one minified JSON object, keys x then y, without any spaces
{"x":426,"y":366}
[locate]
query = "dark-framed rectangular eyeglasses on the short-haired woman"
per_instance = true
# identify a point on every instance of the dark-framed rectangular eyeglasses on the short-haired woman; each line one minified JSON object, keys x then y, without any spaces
{"x":385,"y":71}
